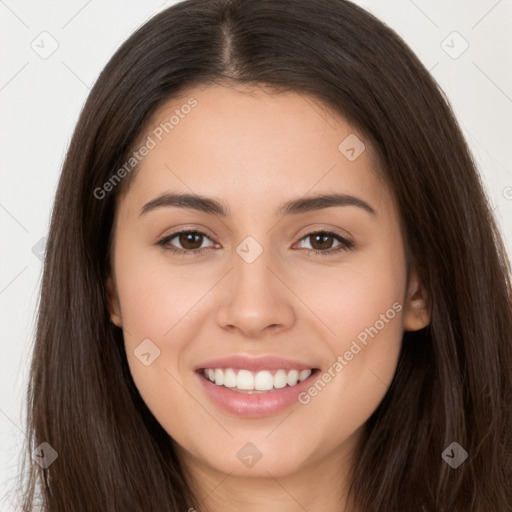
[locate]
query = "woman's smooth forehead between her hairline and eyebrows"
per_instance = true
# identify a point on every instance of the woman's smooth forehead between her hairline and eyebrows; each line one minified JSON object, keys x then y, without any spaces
{"x":252,"y":145}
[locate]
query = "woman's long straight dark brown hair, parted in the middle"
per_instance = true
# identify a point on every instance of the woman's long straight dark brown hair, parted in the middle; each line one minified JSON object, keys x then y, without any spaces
{"x":454,"y":378}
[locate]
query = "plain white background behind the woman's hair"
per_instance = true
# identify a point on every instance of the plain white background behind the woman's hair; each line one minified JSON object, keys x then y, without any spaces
{"x":41,"y":99}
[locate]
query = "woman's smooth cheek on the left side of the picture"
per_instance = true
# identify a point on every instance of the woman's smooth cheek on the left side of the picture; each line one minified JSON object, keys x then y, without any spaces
{"x":156,"y":303}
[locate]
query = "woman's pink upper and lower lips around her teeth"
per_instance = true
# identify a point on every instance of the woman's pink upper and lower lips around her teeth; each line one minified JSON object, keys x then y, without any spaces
{"x":254,"y":405}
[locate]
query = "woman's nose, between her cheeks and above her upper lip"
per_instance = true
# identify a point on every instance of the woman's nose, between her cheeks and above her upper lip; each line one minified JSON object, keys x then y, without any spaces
{"x":255,"y":298}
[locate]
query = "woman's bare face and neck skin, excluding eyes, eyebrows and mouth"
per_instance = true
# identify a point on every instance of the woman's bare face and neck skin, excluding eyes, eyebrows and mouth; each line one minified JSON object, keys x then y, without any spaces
{"x":255,"y":150}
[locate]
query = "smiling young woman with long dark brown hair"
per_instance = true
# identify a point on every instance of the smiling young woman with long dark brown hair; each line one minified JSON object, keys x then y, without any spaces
{"x":369,"y":370}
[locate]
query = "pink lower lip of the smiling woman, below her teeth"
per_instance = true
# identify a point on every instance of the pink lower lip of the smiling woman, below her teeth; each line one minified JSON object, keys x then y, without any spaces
{"x":254,"y":405}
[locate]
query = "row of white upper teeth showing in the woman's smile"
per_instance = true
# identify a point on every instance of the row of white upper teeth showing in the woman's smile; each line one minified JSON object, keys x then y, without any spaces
{"x":263,"y":380}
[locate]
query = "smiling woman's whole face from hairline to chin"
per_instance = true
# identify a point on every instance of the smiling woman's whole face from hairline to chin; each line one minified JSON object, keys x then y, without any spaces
{"x":294,"y":305}
